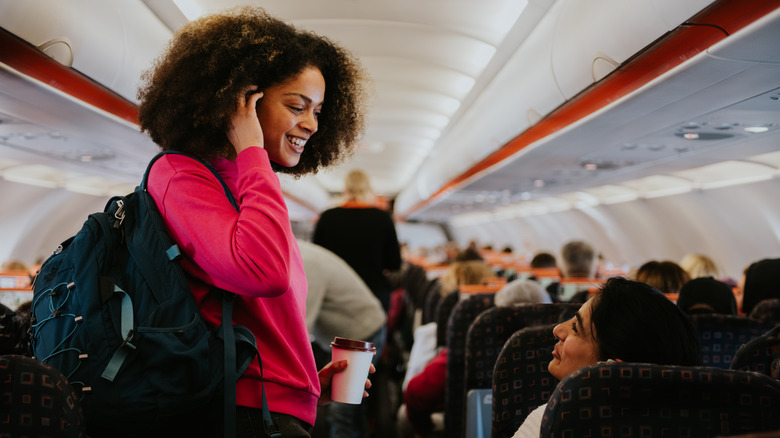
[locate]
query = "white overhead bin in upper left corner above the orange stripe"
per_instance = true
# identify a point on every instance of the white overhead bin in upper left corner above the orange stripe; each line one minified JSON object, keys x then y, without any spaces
{"x":112,"y":42}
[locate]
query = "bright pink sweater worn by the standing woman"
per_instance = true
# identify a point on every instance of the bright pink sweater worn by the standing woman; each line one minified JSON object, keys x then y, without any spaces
{"x":253,"y":253}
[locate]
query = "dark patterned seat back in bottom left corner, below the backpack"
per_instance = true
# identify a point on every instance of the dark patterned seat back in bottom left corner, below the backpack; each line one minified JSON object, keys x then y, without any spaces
{"x":36,"y":400}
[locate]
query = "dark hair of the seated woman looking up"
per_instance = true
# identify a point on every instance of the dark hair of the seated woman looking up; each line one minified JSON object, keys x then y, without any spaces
{"x":634,"y":322}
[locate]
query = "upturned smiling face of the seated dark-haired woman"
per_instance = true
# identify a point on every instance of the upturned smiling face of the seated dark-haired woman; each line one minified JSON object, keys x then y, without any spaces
{"x":576,"y":347}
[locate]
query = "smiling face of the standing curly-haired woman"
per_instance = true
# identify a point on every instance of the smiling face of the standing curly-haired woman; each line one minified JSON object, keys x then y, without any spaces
{"x":288,"y":115}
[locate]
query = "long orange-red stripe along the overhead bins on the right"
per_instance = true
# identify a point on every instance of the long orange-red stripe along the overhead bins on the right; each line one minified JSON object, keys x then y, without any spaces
{"x":668,"y":52}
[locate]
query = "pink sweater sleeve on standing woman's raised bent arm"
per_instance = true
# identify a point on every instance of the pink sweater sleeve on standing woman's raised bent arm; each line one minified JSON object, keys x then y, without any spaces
{"x":233,"y":250}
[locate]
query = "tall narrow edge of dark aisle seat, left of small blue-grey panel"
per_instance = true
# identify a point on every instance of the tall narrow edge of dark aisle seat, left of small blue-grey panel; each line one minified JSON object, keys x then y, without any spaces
{"x":464,"y":313}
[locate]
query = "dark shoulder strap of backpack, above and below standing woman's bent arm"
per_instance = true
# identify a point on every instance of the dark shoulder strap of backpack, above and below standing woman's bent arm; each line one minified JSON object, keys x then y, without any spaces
{"x":227,"y":330}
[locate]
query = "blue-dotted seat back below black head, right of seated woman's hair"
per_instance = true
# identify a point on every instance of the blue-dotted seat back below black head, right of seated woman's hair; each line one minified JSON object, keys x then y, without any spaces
{"x":722,"y":335}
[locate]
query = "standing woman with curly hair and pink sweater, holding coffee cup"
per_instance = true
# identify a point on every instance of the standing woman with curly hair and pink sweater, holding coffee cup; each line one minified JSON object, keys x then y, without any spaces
{"x":252,"y":95}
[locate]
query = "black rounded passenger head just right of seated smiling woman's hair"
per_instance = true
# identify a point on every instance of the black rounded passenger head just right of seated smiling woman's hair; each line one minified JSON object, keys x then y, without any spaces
{"x":707,"y":295}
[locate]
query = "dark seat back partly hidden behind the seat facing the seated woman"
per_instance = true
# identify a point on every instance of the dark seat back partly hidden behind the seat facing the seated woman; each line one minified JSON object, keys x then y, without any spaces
{"x":490,"y":331}
